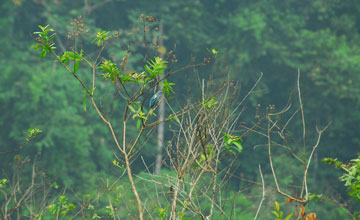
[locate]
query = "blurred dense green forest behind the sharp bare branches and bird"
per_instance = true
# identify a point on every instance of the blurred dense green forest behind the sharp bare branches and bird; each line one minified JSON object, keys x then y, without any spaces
{"x":75,"y":151}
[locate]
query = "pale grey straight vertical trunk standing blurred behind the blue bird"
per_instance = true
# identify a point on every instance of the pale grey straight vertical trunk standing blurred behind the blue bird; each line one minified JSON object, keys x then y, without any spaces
{"x":160,"y":136}
